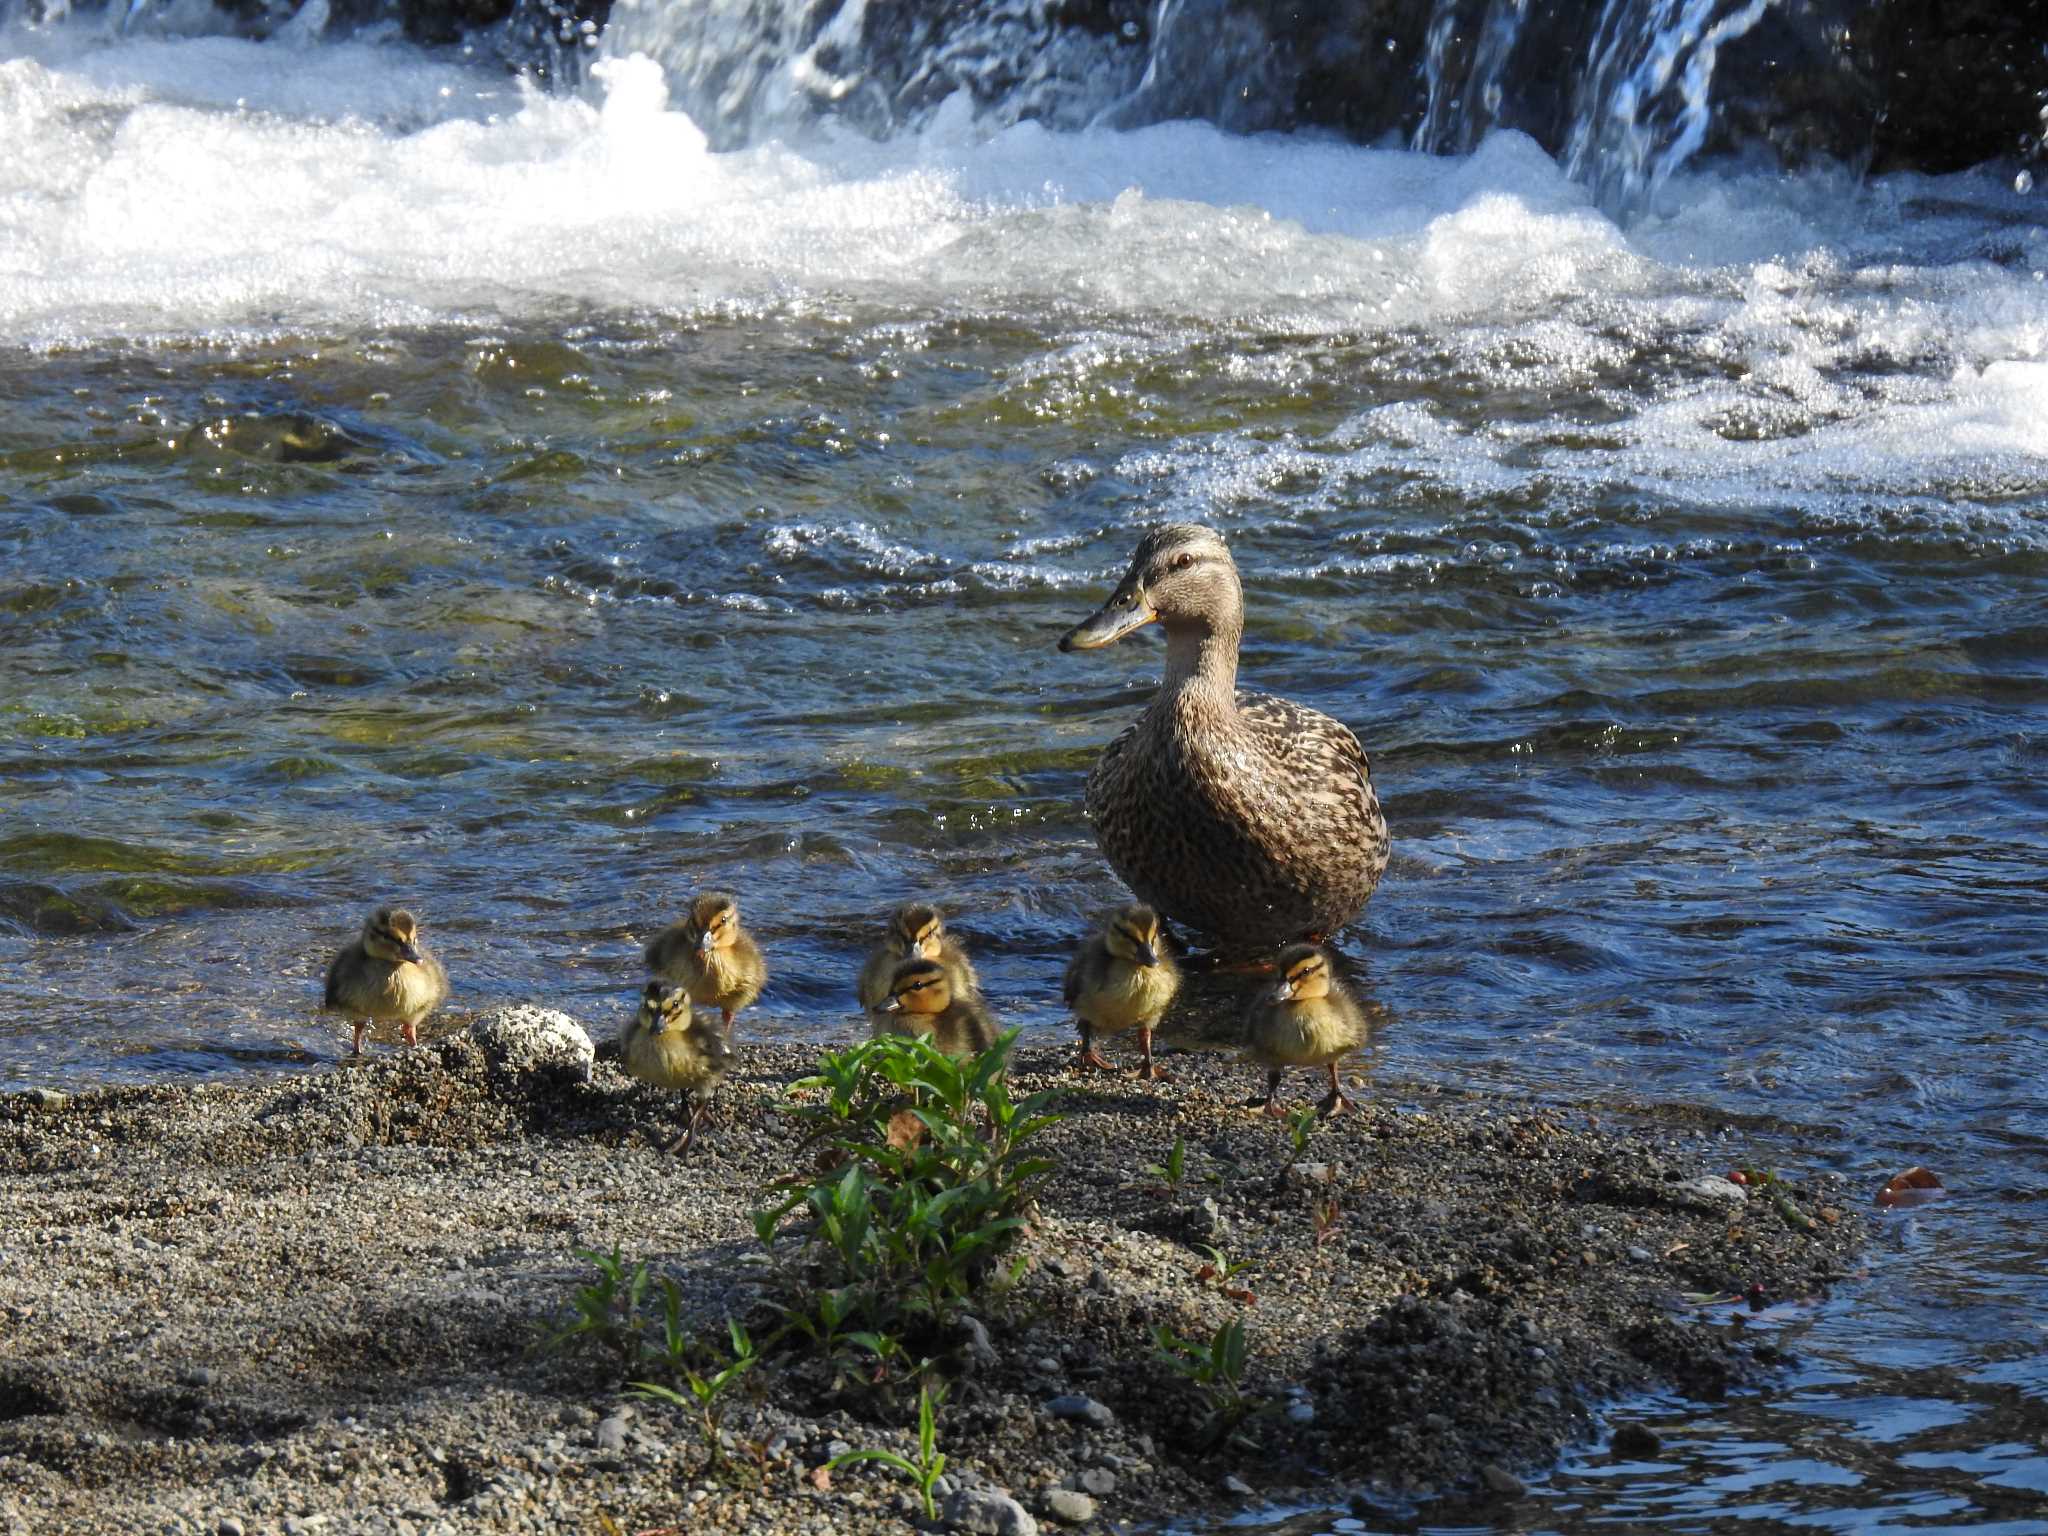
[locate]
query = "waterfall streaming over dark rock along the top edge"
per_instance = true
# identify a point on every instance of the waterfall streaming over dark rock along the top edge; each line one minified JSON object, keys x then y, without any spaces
{"x":1625,"y":93}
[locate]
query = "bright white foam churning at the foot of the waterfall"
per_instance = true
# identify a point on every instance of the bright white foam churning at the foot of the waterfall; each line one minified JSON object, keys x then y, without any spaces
{"x":222,"y":189}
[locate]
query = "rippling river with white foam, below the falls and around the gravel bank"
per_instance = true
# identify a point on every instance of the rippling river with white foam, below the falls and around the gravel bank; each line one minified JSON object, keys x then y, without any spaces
{"x":423,"y":488}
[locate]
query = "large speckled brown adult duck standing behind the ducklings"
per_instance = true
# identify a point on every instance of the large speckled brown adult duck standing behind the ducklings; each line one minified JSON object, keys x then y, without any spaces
{"x":1244,"y":816}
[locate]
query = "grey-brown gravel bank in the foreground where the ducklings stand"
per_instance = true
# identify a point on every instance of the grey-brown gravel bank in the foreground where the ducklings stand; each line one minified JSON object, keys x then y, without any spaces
{"x":318,"y":1304}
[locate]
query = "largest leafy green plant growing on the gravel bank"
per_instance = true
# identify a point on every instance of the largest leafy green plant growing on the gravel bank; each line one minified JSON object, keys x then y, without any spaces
{"x":904,"y":1228}
